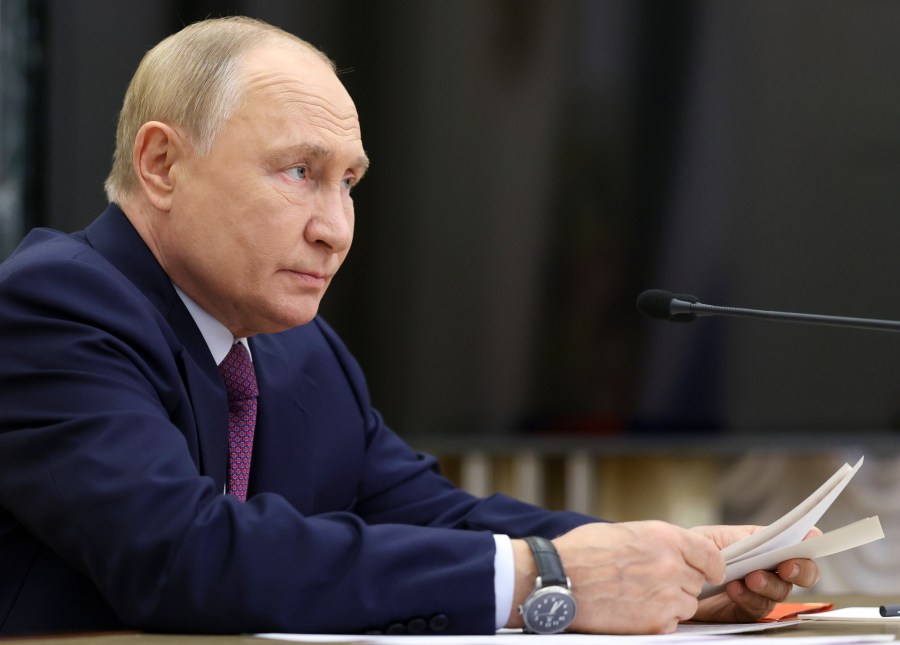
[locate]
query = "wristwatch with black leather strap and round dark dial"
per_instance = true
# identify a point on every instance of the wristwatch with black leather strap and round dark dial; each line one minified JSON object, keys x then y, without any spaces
{"x":550,"y":608}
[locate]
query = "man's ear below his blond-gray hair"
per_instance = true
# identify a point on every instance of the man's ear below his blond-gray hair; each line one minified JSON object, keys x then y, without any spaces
{"x":158,"y":147}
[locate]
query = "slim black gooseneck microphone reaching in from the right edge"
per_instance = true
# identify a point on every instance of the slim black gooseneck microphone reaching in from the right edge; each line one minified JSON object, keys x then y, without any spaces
{"x":666,"y":305}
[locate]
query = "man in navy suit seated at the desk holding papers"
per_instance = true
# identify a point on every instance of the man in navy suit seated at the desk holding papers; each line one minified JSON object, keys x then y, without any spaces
{"x":124,"y":498}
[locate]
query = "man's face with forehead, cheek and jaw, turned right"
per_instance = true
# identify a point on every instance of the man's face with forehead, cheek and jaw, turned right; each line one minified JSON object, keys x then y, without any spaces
{"x":260,"y":225}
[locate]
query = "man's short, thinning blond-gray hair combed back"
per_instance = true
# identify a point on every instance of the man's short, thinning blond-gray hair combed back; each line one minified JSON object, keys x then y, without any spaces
{"x":190,"y":80}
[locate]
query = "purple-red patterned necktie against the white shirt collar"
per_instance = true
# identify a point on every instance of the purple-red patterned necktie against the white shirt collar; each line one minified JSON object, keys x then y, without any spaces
{"x":240,"y":382}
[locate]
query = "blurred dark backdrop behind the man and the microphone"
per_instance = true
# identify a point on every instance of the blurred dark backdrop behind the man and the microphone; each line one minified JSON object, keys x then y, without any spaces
{"x":535,"y":166}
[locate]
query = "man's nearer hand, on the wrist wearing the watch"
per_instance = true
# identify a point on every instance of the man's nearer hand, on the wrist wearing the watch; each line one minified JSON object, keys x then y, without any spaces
{"x":630,"y":577}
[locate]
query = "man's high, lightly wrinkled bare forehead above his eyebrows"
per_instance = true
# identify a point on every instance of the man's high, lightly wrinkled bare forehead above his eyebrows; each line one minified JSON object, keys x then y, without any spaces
{"x":286,"y":84}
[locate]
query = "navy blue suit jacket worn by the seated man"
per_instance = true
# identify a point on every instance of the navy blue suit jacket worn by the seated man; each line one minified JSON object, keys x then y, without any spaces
{"x":113,"y":425}
